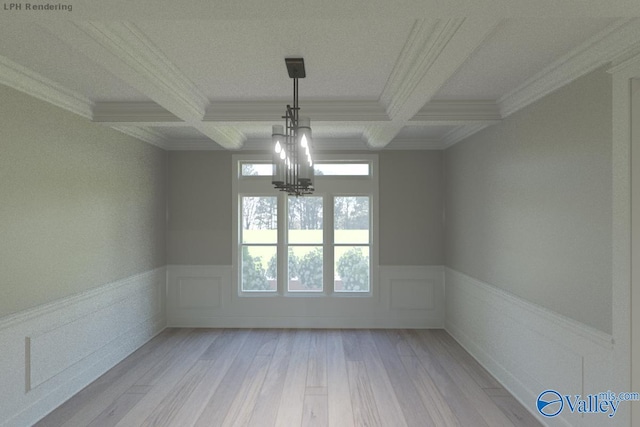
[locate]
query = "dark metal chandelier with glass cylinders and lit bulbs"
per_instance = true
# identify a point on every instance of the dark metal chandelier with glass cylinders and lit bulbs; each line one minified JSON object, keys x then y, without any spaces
{"x":292,"y":162}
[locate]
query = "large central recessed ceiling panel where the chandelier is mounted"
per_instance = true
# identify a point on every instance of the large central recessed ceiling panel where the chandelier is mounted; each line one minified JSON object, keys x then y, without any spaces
{"x":241,"y":60}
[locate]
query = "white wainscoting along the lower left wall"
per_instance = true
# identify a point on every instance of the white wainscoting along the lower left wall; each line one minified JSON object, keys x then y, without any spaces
{"x":51,"y":352}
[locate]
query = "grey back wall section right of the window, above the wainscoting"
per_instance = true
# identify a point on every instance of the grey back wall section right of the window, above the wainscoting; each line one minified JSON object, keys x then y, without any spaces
{"x":411,"y":229}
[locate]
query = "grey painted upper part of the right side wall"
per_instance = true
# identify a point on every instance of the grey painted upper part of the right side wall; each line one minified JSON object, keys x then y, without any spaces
{"x":529,"y":203}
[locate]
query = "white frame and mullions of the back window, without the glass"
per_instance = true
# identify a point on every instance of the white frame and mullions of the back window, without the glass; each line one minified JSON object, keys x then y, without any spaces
{"x":327,"y":186}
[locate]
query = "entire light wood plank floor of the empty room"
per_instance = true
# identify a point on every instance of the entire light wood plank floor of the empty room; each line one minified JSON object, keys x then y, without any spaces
{"x":274,"y":377}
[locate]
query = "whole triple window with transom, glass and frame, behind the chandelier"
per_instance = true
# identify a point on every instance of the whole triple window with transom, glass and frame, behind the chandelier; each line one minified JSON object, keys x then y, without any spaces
{"x":322,"y":244}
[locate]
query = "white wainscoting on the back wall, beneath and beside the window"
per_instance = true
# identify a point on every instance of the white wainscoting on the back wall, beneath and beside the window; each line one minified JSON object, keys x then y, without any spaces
{"x":402,"y":297}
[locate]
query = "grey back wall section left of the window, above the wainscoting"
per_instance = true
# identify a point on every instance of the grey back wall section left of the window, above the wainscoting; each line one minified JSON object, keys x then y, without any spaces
{"x":199,"y":227}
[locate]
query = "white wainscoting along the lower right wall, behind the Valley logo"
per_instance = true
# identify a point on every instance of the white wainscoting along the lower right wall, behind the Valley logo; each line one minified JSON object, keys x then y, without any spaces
{"x":527,"y":348}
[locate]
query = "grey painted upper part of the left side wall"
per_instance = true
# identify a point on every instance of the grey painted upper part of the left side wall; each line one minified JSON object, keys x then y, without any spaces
{"x":82,"y":205}
